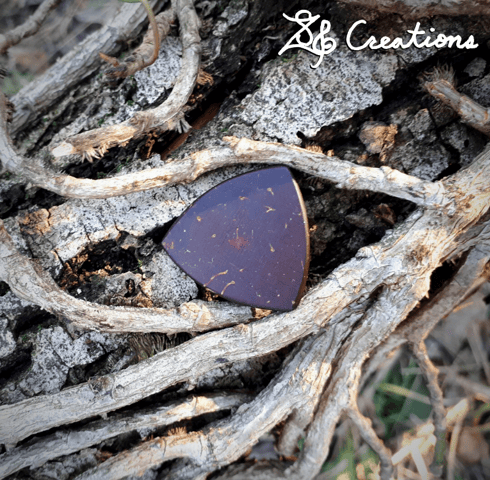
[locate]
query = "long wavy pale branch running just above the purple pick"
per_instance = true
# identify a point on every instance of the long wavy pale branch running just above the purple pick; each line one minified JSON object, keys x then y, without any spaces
{"x":344,"y":174}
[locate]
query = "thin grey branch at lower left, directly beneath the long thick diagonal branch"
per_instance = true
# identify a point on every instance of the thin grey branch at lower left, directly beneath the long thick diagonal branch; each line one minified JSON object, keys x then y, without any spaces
{"x":46,"y":448}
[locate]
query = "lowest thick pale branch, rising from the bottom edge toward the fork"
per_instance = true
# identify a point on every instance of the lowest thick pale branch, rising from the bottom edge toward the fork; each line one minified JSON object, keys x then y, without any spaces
{"x":300,"y":381}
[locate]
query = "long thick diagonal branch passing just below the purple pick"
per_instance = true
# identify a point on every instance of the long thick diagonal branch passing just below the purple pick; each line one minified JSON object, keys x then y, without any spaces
{"x":405,"y":258}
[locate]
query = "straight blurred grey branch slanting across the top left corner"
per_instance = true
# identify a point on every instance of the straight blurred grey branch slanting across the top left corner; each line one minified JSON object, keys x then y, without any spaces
{"x":46,"y":90}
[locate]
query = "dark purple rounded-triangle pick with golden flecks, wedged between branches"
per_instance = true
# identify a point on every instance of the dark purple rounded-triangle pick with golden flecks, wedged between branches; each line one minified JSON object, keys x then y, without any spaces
{"x":246,"y":240}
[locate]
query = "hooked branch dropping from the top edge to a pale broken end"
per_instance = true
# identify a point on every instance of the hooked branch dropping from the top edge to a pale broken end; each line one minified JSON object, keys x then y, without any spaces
{"x":168,"y":116}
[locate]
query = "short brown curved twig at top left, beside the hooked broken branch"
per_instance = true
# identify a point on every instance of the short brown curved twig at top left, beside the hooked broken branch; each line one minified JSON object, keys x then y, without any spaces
{"x":147,"y":52}
